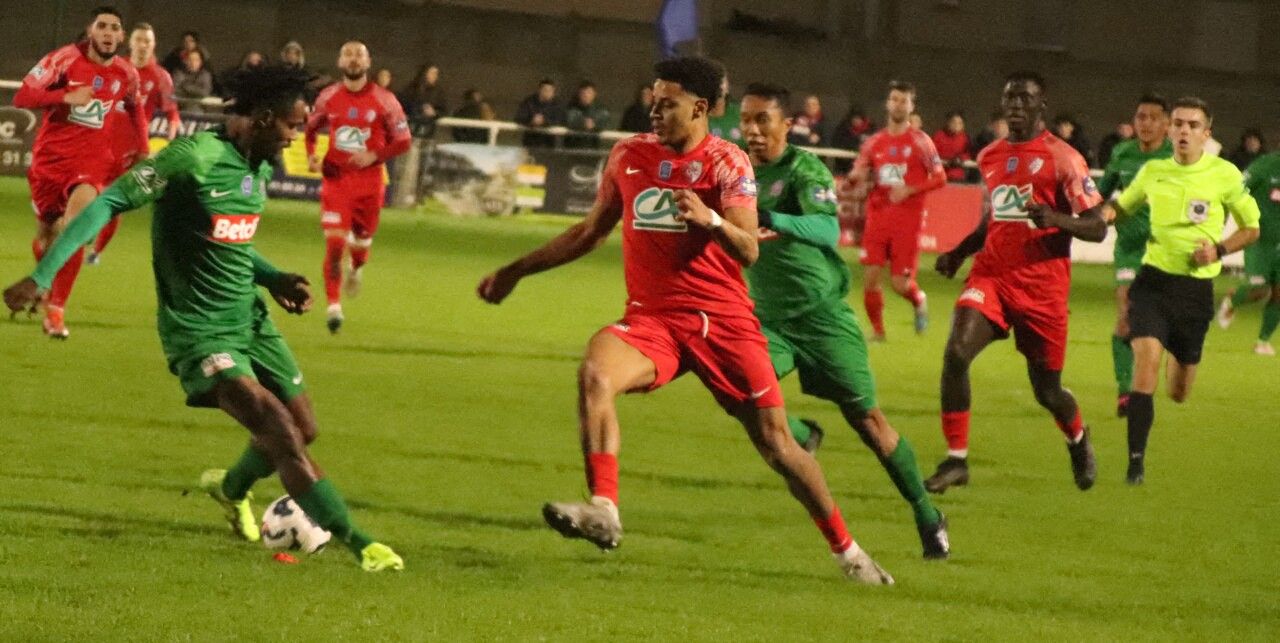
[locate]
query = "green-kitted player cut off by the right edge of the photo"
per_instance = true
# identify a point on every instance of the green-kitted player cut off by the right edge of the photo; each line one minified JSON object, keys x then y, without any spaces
{"x":1263,"y":259}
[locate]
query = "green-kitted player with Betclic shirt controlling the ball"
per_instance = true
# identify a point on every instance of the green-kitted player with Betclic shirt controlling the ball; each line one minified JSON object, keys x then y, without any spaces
{"x":209,"y":191}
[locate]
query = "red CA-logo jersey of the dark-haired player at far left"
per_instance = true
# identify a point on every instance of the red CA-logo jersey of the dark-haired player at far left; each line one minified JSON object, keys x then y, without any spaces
{"x":83,"y":136}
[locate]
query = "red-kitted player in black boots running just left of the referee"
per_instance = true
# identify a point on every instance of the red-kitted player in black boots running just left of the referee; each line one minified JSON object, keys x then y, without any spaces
{"x":1022,"y":277}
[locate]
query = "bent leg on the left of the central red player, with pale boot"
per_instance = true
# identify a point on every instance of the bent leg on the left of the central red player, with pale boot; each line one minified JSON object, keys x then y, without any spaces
{"x":612,"y":367}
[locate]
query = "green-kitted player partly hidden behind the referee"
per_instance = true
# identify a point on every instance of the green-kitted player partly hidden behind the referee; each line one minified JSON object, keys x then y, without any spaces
{"x":1151,"y":130}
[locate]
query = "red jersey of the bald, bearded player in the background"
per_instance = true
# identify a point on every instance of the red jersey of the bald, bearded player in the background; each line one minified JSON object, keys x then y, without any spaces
{"x":369,"y":120}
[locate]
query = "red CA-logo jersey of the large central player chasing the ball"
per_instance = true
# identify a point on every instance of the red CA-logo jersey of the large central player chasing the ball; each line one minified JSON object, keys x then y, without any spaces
{"x":669,"y":265}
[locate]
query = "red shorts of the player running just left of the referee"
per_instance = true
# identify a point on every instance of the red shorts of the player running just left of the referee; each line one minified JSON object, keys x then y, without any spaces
{"x":1039,"y":321}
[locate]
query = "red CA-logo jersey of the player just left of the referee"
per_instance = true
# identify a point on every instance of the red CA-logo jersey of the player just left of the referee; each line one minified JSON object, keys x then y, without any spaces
{"x":1043,"y":171}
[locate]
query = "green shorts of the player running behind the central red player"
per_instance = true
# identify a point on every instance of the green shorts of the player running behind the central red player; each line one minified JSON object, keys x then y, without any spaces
{"x":828,"y":348}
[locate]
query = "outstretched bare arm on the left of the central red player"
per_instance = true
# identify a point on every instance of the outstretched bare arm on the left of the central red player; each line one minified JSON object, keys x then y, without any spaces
{"x":569,"y":247}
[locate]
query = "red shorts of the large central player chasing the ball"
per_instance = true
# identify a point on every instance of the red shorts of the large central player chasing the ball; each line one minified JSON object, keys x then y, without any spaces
{"x":729,"y":354}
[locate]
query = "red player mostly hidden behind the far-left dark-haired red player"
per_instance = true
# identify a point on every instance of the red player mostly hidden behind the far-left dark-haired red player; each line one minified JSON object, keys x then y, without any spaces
{"x":156,"y":90}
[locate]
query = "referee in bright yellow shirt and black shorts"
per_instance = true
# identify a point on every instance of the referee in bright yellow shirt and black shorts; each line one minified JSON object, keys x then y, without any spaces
{"x":1172,"y":300}
